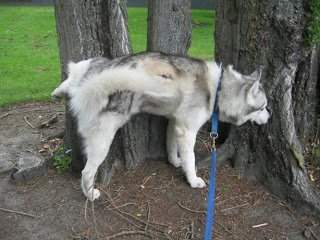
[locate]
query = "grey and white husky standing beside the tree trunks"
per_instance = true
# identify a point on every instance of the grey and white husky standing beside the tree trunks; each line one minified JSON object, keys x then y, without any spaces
{"x":105,"y":93}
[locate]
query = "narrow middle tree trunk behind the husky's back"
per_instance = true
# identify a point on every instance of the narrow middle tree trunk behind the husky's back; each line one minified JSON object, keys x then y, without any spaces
{"x":169,"y":31}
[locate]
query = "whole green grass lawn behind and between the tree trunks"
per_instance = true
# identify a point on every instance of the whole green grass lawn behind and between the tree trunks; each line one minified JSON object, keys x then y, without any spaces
{"x":29,"y":60}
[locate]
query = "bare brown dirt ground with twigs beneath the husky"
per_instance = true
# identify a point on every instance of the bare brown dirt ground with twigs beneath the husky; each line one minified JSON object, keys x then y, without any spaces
{"x":151,"y":202}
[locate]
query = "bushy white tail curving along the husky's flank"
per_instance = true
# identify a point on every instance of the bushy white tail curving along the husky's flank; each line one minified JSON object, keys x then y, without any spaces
{"x":93,"y":95}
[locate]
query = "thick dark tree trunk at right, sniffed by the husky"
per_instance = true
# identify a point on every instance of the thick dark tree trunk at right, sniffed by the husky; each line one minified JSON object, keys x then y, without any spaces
{"x":271,"y":33}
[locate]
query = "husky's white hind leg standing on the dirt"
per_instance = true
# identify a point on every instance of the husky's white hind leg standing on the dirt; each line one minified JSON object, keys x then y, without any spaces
{"x":97,"y":143}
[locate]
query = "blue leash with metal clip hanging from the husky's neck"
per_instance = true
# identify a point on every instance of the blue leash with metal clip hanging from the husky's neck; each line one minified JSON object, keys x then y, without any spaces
{"x":212,"y":182}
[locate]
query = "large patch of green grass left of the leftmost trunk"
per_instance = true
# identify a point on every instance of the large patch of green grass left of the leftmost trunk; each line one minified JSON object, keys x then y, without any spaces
{"x":29,"y":67}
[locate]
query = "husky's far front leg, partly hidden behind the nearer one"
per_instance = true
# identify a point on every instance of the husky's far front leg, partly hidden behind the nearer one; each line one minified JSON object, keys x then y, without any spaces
{"x":172,"y":144}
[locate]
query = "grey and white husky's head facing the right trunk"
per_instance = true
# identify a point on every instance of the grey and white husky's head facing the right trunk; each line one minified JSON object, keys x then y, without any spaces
{"x":242,"y":98}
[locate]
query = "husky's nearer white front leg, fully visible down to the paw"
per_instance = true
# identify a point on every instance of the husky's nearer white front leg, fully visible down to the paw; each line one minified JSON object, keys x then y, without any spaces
{"x":186,"y":142}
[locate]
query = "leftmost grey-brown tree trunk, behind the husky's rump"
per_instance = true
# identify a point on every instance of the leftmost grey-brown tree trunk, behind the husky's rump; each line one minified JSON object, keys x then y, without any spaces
{"x":89,"y":29}
